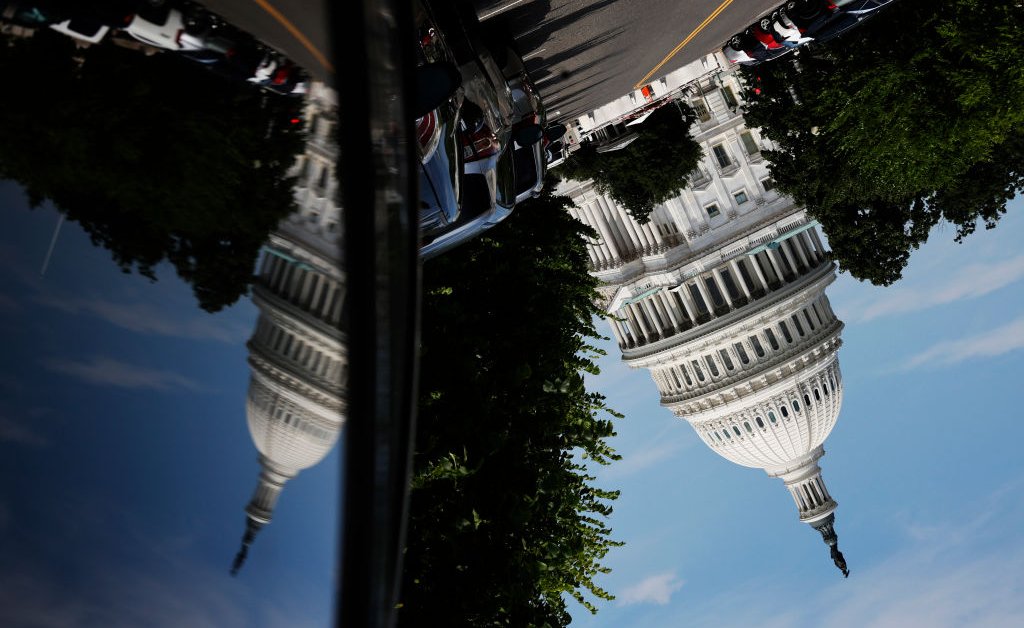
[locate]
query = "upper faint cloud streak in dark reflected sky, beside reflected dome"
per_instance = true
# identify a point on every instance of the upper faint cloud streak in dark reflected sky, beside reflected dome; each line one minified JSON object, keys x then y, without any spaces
{"x":149,"y":319}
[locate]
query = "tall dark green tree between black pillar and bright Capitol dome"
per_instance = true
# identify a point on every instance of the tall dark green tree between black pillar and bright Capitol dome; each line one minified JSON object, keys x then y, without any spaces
{"x":504,"y":519}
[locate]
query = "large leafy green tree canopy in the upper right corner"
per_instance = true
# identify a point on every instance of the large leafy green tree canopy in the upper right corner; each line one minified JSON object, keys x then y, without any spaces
{"x":914,"y":118}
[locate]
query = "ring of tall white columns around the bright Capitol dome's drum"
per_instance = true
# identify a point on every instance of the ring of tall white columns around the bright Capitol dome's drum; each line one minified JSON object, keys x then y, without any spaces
{"x":717,"y":291}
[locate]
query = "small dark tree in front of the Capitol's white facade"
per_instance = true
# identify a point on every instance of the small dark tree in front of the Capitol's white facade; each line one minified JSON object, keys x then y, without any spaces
{"x":651,"y":171}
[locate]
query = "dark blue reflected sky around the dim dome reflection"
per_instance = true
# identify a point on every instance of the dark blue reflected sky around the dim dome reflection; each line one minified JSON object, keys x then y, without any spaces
{"x":126,"y":457}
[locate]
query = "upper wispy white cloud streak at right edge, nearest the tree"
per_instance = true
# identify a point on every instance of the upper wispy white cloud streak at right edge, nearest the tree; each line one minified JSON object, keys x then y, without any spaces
{"x":968,"y":283}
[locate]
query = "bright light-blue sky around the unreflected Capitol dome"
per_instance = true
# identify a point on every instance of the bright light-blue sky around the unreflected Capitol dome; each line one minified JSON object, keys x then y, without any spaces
{"x":925,"y":464}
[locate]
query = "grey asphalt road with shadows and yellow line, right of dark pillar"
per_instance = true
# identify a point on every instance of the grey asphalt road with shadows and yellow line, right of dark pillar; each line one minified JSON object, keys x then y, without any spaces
{"x":584,"y":54}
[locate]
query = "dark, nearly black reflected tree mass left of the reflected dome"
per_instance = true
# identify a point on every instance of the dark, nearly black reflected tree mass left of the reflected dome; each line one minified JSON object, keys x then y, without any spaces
{"x":156,"y":158}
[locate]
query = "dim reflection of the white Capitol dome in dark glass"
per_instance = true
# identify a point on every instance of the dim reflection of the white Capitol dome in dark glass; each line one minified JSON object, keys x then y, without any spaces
{"x":296,"y":402}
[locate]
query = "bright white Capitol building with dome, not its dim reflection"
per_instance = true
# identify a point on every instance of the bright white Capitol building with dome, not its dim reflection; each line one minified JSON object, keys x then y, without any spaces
{"x":721,"y":297}
